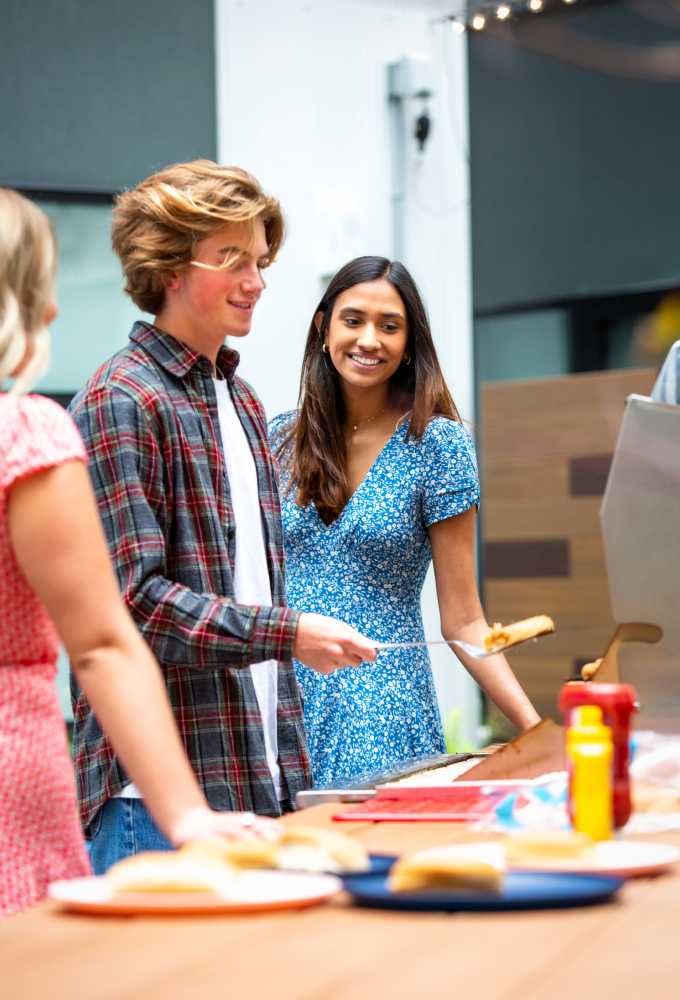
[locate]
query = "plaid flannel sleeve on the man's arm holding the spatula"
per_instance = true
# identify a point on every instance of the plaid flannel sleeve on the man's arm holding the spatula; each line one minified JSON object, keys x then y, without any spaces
{"x":182,"y":627}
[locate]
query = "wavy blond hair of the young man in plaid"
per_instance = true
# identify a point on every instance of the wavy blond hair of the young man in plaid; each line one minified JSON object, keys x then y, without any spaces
{"x":157,"y":225}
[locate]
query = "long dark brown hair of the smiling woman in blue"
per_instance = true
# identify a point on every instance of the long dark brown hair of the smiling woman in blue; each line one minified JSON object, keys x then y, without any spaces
{"x":313,"y":447}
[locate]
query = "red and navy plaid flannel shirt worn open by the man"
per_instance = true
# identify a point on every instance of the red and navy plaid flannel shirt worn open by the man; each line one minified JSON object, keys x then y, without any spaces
{"x":150,"y":424}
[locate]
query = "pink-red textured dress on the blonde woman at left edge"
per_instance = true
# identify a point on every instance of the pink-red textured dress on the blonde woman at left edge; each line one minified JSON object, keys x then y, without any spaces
{"x":40,"y":835}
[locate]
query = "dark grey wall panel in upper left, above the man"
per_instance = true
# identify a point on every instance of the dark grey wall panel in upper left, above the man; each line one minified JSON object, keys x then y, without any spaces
{"x":94,"y":96}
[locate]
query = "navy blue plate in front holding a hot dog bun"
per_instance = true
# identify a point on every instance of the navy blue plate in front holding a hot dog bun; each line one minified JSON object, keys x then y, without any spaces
{"x":521,"y":891}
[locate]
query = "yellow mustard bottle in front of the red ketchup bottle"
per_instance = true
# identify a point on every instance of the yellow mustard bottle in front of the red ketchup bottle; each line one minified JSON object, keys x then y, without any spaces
{"x":589,"y":752}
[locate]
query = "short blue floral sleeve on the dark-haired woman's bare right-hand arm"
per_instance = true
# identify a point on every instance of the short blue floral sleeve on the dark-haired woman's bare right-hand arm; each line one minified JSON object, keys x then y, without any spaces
{"x":450,"y":482}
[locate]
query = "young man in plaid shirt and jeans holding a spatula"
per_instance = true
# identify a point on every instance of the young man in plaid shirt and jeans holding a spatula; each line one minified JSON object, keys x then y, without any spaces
{"x":187,"y":492}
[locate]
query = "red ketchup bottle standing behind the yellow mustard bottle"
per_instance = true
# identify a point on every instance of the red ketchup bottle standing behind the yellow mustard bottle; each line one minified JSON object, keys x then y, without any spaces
{"x":618,"y":702}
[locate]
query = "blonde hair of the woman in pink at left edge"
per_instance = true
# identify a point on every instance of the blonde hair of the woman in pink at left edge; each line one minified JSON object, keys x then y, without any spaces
{"x":28,"y":258}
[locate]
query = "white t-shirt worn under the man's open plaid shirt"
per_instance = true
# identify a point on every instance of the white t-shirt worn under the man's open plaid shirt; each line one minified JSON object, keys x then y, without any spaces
{"x":251,"y":573}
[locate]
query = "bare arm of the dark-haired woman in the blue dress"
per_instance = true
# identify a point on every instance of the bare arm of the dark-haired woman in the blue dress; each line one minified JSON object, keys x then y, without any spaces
{"x":461,"y":615}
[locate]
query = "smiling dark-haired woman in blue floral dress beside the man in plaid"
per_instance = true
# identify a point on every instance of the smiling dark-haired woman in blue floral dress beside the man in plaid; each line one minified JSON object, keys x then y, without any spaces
{"x":378,"y":478}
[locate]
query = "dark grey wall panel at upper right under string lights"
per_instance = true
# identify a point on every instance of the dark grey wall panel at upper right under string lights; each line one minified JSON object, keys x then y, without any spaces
{"x":575,"y":173}
